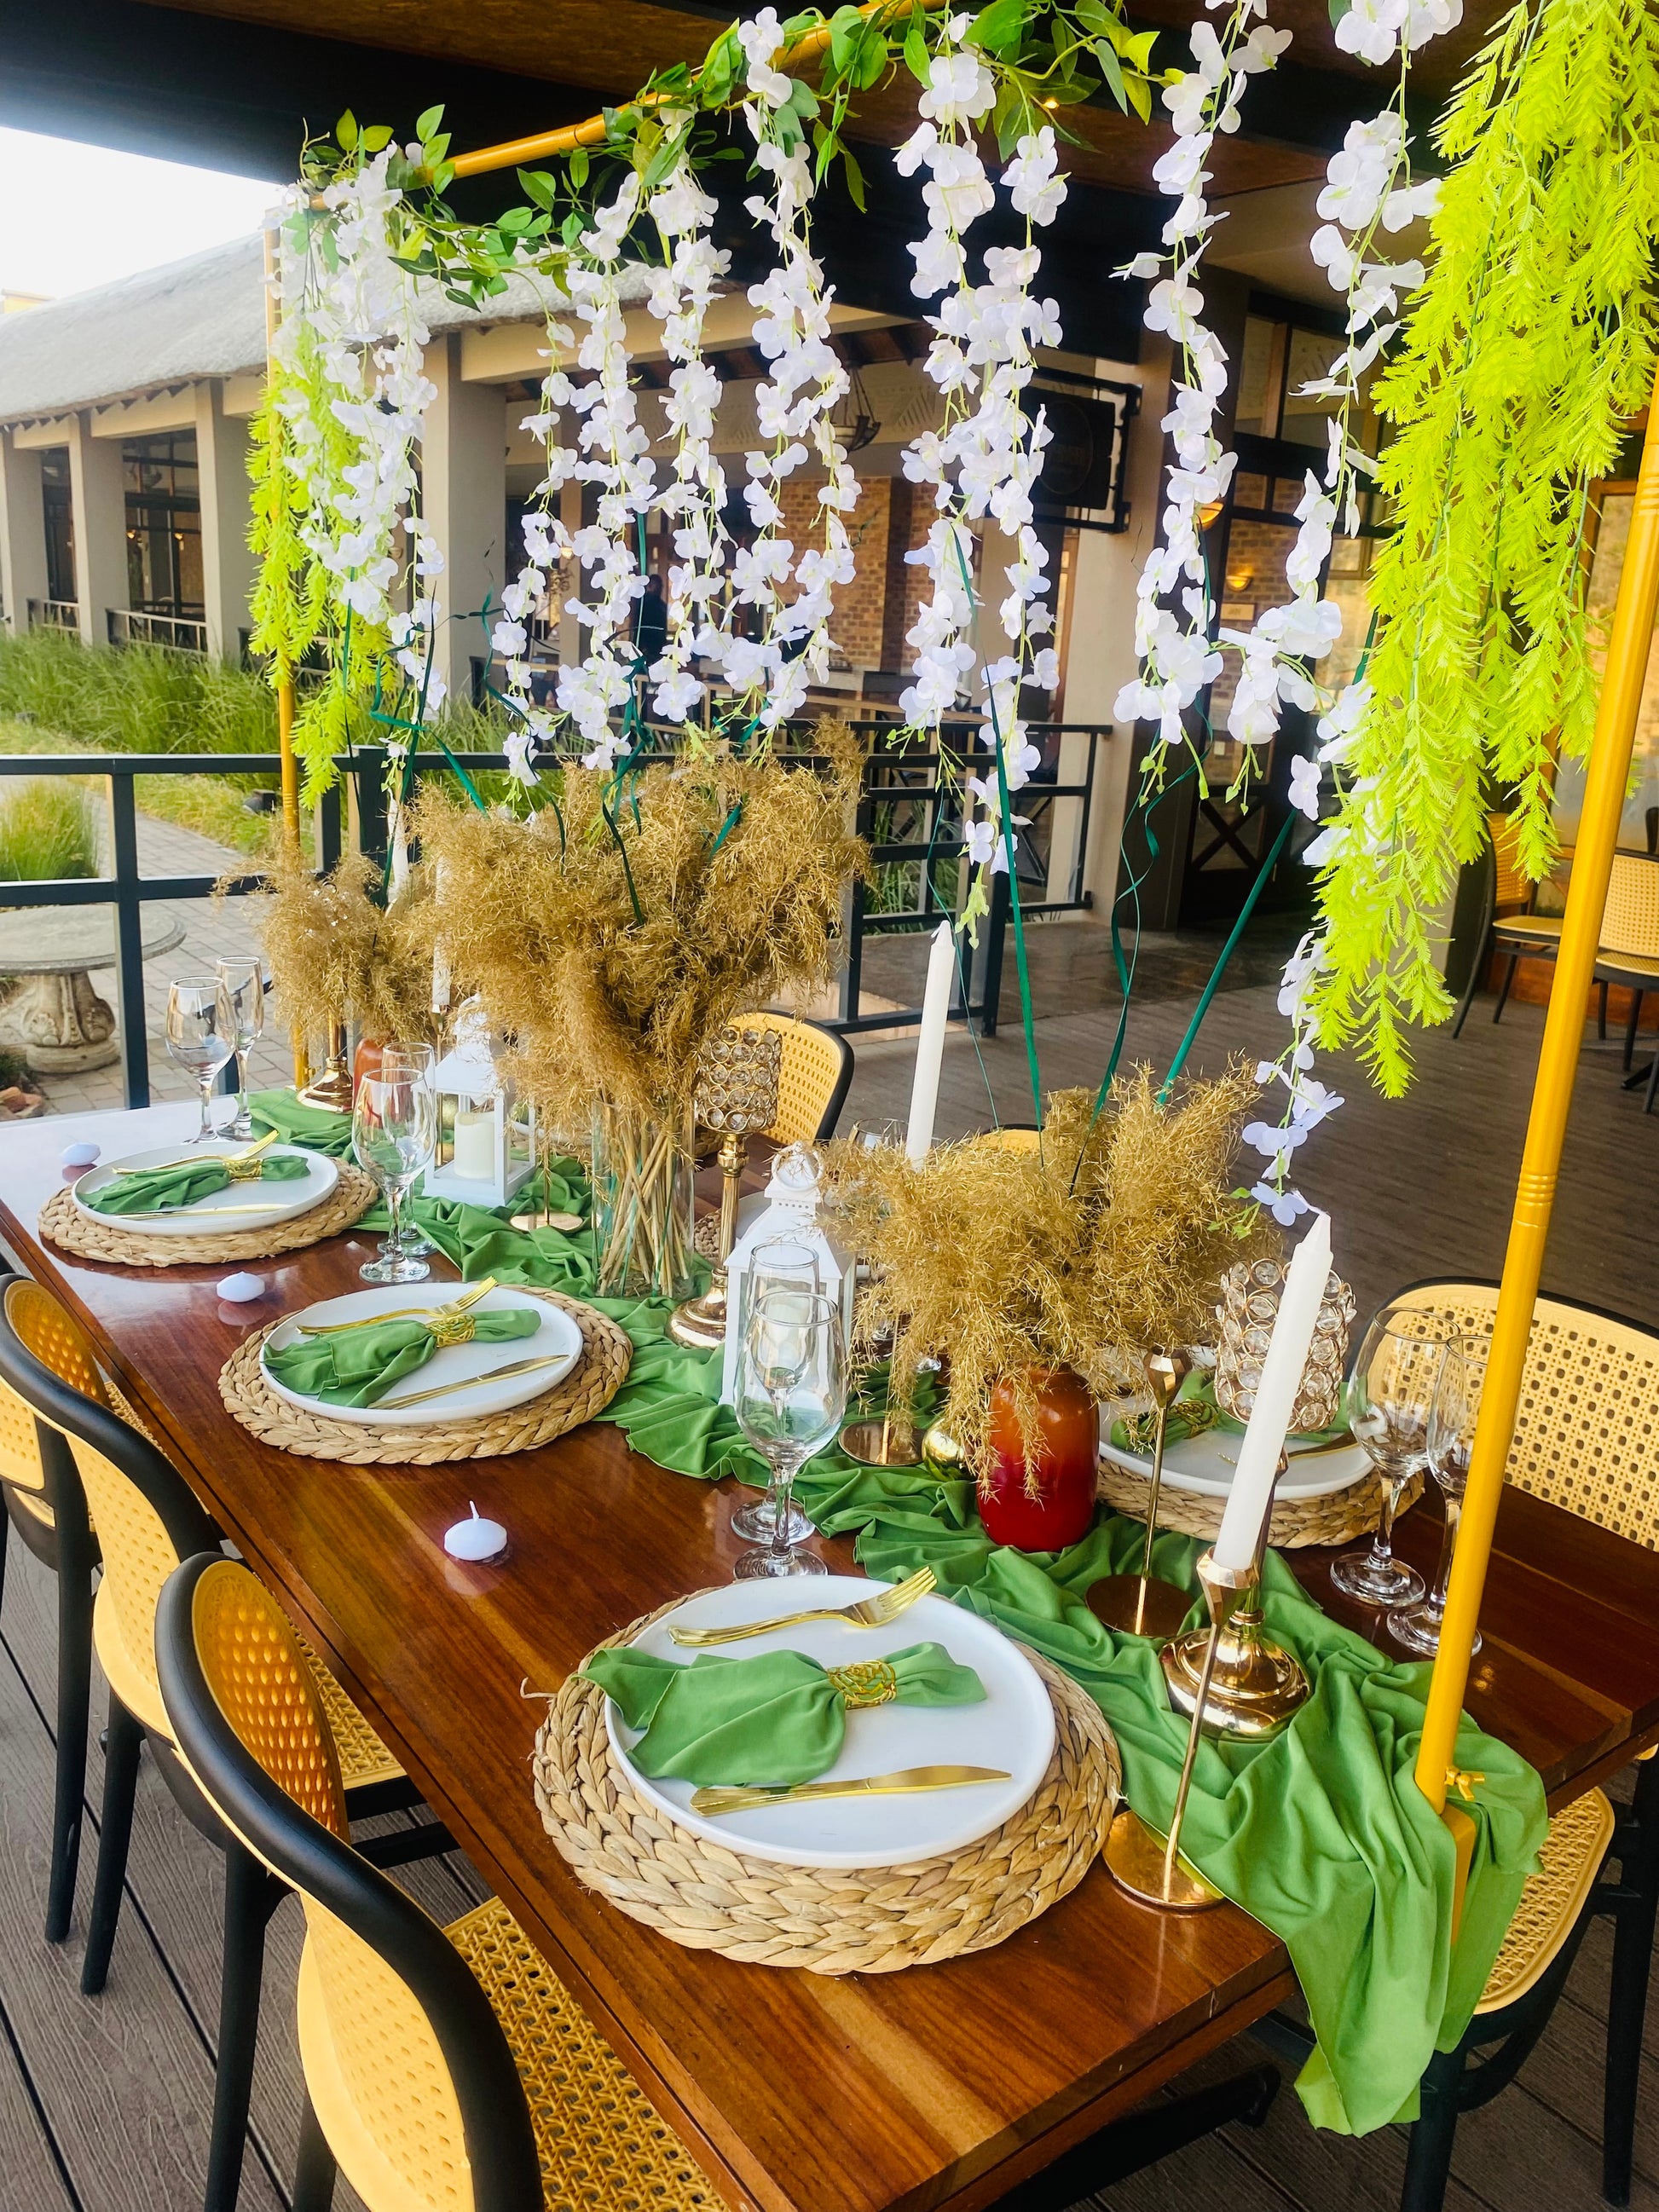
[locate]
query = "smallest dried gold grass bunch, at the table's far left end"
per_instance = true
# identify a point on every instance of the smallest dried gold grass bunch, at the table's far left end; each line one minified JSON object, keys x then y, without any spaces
{"x":337,"y":957}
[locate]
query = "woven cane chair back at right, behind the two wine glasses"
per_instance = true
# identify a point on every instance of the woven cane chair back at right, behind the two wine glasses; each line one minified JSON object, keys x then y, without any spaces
{"x":1587,"y":1430}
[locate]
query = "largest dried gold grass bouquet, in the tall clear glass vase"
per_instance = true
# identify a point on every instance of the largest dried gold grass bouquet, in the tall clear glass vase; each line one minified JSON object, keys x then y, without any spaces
{"x":623,"y":928}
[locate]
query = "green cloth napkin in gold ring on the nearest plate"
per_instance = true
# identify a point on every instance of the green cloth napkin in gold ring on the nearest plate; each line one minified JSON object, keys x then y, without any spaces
{"x":769,"y":1720}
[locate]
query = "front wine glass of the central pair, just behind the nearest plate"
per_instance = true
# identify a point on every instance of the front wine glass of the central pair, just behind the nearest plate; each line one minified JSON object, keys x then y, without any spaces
{"x":789,"y":1401}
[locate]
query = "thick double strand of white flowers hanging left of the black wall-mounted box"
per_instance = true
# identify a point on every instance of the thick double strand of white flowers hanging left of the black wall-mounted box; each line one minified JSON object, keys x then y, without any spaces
{"x":988,"y":457}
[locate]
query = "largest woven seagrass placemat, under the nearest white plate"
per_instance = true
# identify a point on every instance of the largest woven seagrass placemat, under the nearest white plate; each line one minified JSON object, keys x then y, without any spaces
{"x":824,"y":1919}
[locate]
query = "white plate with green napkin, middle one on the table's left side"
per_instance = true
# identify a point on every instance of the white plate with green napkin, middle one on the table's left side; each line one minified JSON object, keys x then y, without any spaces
{"x":556,"y":1339}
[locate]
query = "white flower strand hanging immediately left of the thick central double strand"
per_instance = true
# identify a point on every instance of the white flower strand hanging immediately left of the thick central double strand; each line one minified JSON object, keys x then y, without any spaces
{"x":793,"y":413}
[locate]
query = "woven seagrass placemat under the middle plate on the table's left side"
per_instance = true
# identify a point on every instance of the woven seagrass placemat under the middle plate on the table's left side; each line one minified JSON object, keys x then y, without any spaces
{"x":585,"y":1392}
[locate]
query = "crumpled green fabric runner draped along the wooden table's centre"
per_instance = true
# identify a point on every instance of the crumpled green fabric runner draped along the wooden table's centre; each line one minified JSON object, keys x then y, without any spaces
{"x":1322,"y":1835}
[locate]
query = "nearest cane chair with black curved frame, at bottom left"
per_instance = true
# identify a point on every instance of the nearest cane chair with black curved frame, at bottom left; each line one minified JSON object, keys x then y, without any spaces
{"x":446,"y":2069}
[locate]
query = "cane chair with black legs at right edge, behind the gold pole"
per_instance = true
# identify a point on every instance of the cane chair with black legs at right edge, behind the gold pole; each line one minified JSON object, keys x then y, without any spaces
{"x":1585,"y":1441}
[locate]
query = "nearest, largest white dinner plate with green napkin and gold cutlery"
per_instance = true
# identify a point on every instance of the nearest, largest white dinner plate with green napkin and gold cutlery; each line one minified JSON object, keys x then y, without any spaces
{"x":1014,"y":1731}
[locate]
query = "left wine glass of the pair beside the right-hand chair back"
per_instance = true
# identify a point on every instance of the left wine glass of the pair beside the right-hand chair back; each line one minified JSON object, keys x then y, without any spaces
{"x":1390,"y":1397}
